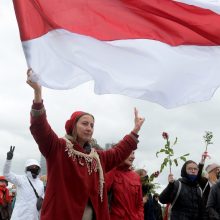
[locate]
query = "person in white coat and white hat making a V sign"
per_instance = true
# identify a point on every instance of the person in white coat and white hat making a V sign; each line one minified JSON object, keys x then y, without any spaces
{"x":25,"y":204}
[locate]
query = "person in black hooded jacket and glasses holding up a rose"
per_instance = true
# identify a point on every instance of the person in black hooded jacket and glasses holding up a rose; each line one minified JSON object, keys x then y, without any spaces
{"x":188,"y":204}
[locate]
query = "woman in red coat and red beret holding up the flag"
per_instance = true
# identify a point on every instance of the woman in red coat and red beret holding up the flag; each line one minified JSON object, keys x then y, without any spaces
{"x":76,"y":188}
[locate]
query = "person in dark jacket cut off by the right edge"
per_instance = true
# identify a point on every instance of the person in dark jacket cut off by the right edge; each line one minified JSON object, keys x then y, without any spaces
{"x":213,"y":203}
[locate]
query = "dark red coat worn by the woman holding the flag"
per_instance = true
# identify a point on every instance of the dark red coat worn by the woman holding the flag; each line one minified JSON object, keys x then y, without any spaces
{"x":69,"y":184}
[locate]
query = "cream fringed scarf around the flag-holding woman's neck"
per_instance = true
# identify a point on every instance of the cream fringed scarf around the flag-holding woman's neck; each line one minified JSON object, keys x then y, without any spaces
{"x":92,"y":161}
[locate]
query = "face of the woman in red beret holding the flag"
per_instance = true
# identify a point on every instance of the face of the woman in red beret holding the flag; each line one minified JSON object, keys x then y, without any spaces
{"x":84,"y":129}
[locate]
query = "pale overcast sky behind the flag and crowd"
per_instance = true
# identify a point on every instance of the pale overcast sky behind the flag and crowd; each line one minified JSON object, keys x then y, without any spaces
{"x":113,"y":113}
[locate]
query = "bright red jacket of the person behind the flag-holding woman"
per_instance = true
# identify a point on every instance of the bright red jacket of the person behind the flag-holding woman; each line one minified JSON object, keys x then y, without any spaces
{"x":126,"y":202}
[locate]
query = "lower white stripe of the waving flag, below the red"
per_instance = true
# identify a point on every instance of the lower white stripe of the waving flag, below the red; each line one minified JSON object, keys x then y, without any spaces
{"x":141,"y":68}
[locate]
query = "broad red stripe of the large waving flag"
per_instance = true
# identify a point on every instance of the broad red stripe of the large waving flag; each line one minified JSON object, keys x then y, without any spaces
{"x":164,"y":20}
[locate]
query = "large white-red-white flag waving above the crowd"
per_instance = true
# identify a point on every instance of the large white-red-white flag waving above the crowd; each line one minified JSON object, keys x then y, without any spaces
{"x":163,"y":51}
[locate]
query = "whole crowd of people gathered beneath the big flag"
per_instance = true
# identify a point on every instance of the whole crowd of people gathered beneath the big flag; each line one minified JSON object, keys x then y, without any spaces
{"x":86,"y":183}
